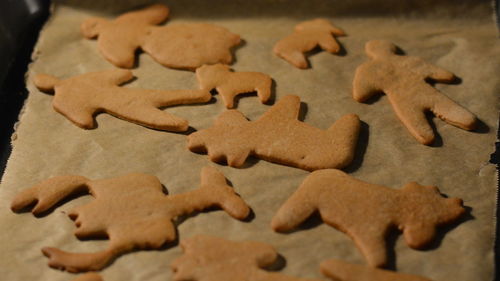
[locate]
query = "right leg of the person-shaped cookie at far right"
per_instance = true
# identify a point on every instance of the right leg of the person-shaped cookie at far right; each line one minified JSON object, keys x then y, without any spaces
{"x":452,"y":113}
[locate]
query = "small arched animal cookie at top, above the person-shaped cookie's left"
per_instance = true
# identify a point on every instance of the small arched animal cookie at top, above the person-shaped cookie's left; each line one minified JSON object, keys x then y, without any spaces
{"x":308,"y":35}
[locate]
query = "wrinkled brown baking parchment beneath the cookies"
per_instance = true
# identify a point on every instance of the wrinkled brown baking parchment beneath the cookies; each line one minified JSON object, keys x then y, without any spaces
{"x":461,"y":38}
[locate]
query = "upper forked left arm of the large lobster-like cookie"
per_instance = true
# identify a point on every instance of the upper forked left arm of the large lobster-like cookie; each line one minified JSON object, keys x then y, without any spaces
{"x":47,"y":193}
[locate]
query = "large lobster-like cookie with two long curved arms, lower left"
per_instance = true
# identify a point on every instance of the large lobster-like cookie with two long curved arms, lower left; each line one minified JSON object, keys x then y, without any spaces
{"x":131,"y":210}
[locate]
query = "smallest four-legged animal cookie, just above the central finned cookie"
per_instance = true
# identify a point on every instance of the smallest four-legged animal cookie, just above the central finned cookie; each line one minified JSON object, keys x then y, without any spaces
{"x":230,"y":84}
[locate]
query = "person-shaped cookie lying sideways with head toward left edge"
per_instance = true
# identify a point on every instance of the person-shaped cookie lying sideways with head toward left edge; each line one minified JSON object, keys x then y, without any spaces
{"x":81,"y":97}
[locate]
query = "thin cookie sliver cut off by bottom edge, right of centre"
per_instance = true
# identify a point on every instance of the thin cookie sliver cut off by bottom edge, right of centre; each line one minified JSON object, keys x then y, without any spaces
{"x":342,"y":271}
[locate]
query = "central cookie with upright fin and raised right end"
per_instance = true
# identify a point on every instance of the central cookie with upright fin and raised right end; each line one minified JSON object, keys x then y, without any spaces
{"x":278,"y":137}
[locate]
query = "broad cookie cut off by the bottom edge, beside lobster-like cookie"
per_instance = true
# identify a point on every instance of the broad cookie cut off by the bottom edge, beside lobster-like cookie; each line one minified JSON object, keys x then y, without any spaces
{"x":209,"y":258}
